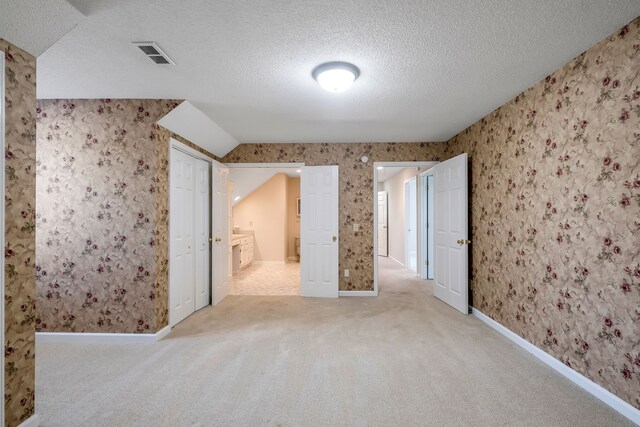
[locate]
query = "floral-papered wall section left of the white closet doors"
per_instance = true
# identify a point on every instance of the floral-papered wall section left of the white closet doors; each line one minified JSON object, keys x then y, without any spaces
{"x":102,"y":215}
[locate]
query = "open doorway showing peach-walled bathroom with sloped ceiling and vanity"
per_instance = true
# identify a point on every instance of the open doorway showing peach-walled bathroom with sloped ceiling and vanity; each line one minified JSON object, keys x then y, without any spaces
{"x":265,"y":222}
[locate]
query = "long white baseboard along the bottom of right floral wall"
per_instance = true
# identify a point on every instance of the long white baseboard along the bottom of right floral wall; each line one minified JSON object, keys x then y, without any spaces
{"x":610,"y":399}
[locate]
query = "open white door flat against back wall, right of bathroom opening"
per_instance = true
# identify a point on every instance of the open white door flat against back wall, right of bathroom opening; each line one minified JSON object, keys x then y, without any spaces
{"x":319,"y":231}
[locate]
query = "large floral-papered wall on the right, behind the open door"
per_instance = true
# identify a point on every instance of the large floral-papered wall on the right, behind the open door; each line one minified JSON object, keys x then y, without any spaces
{"x":555,"y":213}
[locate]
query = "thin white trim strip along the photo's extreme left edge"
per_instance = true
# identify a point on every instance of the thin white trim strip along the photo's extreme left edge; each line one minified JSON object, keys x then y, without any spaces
{"x":2,"y":130}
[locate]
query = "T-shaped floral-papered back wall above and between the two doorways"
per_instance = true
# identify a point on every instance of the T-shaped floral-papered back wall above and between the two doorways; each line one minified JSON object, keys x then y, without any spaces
{"x":356,"y":189}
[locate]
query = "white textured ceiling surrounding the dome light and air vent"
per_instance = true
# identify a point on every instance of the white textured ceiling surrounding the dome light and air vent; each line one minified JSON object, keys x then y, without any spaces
{"x":429,"y":68}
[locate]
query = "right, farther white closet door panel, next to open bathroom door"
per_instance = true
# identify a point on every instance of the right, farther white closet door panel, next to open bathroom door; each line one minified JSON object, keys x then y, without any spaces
{"x":202,"y":232}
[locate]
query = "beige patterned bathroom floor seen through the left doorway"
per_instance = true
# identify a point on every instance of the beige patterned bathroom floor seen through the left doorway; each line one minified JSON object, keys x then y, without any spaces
{"x":267,"y":279}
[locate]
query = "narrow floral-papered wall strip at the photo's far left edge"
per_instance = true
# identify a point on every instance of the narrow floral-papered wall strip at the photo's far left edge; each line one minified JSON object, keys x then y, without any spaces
{"x":19,"y":250}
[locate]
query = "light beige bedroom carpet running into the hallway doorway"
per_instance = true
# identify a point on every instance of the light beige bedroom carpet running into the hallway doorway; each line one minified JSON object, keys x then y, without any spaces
{"x":402,"y":359}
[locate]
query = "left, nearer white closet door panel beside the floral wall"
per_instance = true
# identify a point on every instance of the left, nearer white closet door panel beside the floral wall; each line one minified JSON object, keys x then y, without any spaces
{"x":182,"y":263}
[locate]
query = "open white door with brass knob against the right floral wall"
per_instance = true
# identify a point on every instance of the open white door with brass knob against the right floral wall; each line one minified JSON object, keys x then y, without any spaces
{"x":451,"y":234}
